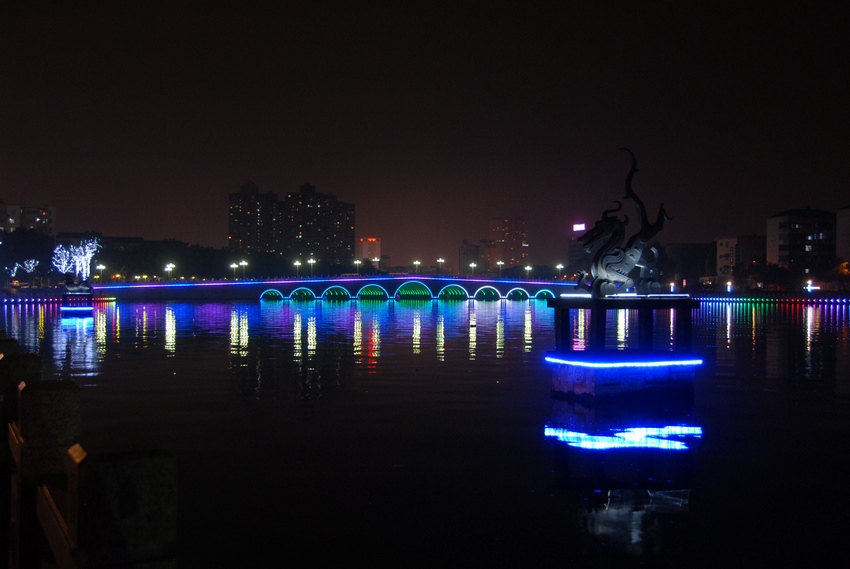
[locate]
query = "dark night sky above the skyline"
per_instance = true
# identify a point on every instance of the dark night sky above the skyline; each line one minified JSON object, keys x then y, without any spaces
{"x":139,"y":118}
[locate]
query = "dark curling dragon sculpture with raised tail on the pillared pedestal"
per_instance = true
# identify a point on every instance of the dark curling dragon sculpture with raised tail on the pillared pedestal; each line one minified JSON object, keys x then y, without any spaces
{"x":612,"y":264}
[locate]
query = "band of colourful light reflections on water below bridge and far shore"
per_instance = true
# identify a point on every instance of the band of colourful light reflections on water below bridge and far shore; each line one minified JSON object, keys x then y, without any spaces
{"x":739,"y":340}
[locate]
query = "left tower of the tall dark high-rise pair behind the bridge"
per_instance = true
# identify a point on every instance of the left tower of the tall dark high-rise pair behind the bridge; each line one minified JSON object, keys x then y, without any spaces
{"x":254,"y":221}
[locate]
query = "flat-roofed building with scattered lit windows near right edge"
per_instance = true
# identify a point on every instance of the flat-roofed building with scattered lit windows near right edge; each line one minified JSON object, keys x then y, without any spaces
{"x":801,"y":239}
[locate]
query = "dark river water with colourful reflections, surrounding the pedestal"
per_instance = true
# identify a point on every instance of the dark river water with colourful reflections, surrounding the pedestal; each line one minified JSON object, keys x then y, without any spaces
{"x":426,"y":434}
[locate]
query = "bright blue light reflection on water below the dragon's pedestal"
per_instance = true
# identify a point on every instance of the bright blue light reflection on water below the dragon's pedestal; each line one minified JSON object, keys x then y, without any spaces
{"x":664,"y":438}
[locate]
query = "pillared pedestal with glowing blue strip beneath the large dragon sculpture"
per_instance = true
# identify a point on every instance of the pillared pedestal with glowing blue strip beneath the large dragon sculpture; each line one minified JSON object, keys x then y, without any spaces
{"x":592,"y":367}
